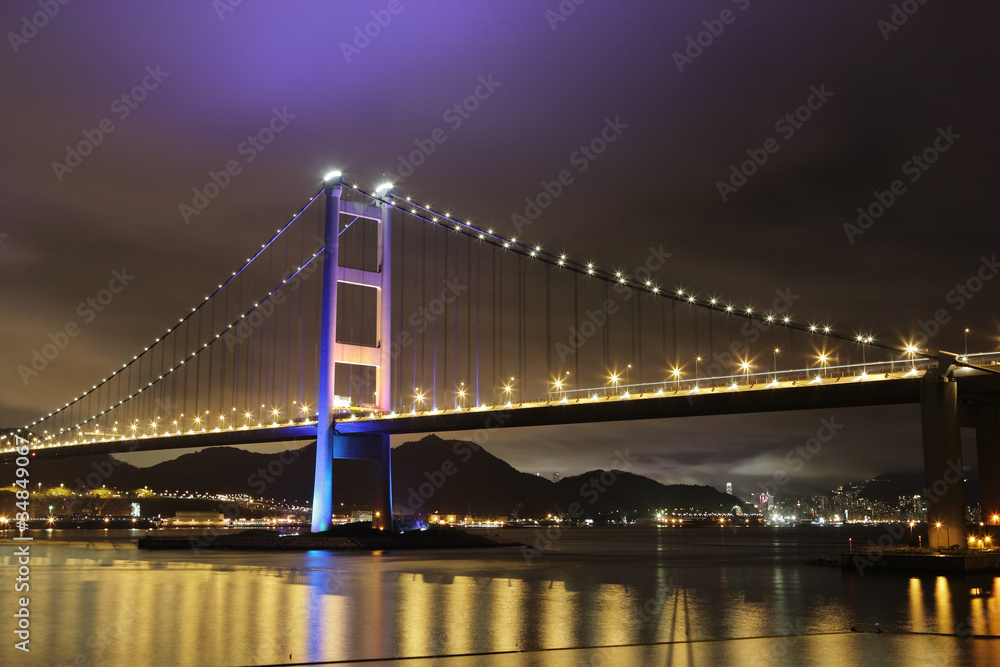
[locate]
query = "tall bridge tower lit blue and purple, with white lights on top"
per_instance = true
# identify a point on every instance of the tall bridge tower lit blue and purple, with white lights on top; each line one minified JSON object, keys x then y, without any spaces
{"x":330,"y":445}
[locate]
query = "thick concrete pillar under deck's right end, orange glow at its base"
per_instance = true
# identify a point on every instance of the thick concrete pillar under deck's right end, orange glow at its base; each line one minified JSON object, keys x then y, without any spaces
{"x":944,"y":487}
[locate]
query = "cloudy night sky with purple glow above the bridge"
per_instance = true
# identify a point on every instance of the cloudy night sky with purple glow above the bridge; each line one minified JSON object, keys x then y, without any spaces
{"x":884,"y":85}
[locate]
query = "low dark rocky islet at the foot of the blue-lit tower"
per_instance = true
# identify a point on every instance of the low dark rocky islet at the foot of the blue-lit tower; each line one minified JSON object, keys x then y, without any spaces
{"x":351,"y":537}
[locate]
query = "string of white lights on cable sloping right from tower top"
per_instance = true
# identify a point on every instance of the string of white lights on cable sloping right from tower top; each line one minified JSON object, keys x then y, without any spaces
{"x":386,"y":193}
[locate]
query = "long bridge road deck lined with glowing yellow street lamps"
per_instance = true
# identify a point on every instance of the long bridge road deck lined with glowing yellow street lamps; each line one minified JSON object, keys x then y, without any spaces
{"x":829,"y":393}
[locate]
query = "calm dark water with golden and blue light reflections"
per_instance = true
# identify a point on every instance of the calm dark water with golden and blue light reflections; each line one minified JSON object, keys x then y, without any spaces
{"x":103,"y":602}
